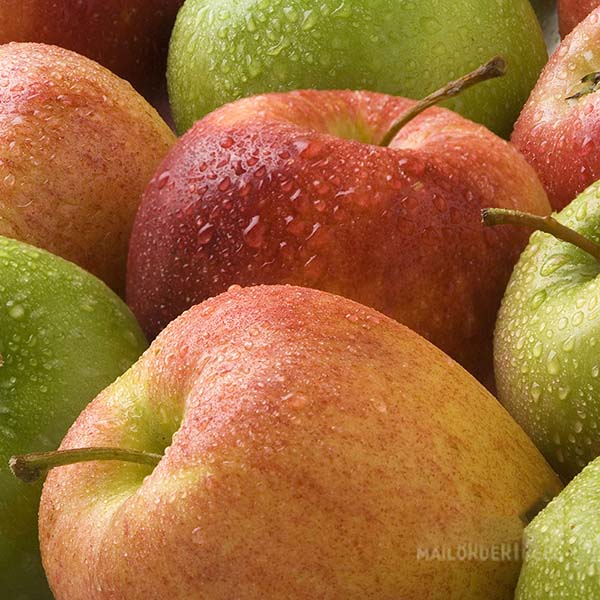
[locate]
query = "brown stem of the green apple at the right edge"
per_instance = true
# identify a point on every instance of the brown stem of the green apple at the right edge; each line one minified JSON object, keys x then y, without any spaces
{"x":503,"y":216}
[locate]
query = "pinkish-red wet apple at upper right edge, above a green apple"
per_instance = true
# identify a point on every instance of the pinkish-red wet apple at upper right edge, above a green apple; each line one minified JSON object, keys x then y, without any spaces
{"x":560,"y":137}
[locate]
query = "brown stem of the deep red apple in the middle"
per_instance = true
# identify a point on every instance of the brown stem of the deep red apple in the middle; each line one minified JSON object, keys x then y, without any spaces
{"x":496,"y":67}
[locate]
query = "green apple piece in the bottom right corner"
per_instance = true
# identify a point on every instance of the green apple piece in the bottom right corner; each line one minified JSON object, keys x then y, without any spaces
{"x":562,"y":554}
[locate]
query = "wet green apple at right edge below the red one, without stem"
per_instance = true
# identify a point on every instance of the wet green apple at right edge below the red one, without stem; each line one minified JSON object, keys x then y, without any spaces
{"x":547,"y":341}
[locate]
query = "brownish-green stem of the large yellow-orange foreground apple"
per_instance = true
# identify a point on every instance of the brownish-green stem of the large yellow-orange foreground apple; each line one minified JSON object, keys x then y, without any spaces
{"x":30,"y":467}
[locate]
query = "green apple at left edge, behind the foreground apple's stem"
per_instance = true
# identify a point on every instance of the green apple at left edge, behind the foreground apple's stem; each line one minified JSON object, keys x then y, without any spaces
{"x":64,"y":336}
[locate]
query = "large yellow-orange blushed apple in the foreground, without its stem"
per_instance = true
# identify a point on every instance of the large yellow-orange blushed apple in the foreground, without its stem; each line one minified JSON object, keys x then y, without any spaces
{"x":313,"y":445}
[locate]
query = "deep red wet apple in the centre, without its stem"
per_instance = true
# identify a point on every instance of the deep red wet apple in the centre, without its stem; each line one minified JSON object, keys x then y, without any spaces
{"x":266,"y":191}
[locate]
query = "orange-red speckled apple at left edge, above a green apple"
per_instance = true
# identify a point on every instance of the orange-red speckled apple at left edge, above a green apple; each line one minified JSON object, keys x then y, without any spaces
{"x":77,"y":147}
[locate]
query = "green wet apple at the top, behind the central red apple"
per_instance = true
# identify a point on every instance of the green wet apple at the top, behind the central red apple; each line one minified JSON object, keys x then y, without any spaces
{"x":223,"y":50}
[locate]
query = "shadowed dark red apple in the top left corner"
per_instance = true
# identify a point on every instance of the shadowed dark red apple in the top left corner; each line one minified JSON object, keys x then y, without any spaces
{"x":129,"y":37}
